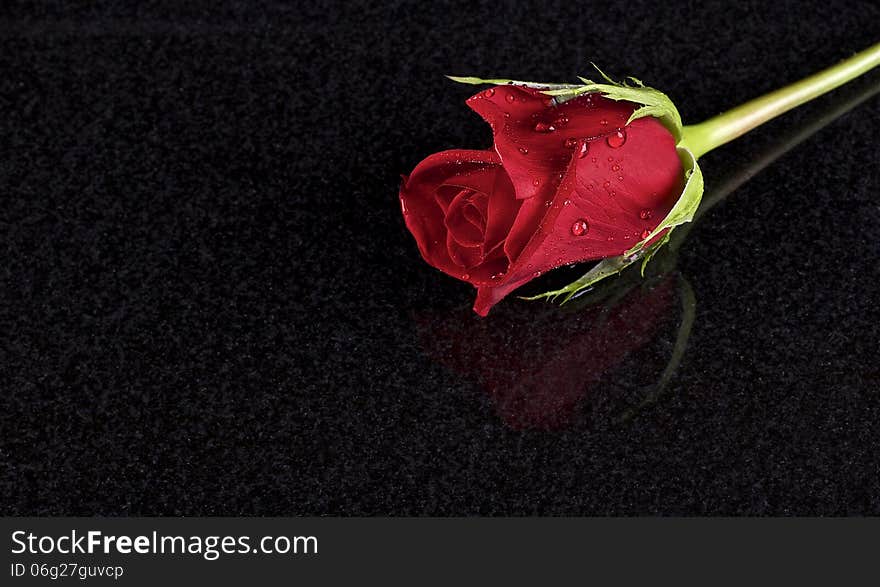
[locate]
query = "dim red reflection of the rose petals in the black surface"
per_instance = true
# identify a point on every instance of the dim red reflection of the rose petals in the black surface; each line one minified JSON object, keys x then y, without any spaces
{"x":540,"y":364}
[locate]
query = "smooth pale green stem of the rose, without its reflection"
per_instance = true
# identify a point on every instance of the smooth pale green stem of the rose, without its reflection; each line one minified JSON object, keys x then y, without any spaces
{"x":705,"y":136}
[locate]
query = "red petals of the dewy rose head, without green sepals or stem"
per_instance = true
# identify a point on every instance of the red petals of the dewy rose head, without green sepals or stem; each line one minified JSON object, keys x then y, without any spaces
{"x":565,"y":183}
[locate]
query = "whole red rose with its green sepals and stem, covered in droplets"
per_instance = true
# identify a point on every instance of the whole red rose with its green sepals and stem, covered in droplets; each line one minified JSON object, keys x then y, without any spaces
{"x":592,"y":172}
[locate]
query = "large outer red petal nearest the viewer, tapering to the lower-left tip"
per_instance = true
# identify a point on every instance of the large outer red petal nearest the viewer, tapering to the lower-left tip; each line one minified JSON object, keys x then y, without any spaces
{"x":617,"y":211}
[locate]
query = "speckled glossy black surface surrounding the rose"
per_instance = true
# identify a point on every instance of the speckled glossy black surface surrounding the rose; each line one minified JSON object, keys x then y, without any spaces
{"x":210,"y":304}
